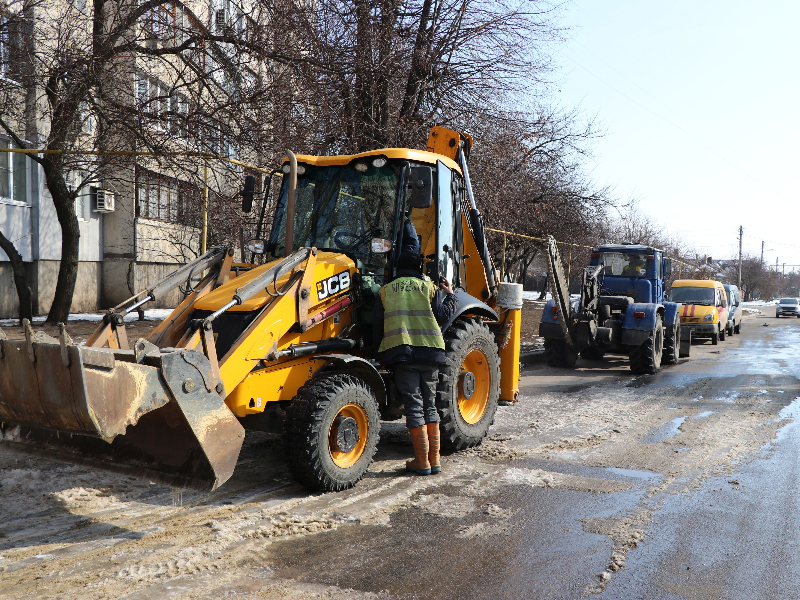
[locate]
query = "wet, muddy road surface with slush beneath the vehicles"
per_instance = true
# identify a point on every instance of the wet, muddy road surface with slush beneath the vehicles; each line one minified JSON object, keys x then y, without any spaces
{"x":596,"y":484}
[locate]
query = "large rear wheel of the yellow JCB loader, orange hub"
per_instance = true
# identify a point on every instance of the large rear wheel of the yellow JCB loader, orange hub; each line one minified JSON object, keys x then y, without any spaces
{"x":469,"y":384}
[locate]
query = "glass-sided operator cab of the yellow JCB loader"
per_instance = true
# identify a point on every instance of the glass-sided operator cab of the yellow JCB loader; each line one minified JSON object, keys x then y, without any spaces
{"x":345,"y":207}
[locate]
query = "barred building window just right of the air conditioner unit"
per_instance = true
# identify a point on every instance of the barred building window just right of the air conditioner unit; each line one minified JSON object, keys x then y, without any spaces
{"x":164,"y":198}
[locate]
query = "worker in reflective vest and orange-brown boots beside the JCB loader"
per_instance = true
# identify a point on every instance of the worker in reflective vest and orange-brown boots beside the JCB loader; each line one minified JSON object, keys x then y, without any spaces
{"x":407,"y":334}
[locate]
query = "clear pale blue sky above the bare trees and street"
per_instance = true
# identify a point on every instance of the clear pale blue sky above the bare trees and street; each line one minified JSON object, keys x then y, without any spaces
{"x":699,"y":102}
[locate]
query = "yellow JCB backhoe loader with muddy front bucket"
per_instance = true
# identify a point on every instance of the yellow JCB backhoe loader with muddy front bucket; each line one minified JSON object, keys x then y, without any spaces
{"x":282,"y":344}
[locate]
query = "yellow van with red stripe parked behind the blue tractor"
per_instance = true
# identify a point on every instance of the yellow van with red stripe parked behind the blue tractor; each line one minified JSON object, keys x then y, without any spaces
{"x":704,"y":307}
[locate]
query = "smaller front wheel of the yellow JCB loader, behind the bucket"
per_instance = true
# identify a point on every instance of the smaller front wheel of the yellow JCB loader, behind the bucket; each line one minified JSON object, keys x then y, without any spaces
{"x":331,"y":432}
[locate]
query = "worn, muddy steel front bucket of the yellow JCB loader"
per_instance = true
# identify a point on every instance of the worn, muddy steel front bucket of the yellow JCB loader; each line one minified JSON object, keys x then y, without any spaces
{"x":143,"y":412}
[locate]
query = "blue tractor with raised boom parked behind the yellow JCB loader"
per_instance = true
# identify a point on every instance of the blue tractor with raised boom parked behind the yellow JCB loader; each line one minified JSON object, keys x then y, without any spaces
{"x":621,"y":310}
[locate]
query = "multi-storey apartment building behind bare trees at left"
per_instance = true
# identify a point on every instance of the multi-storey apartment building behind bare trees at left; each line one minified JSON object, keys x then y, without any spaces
{"x":138,"y":215}
